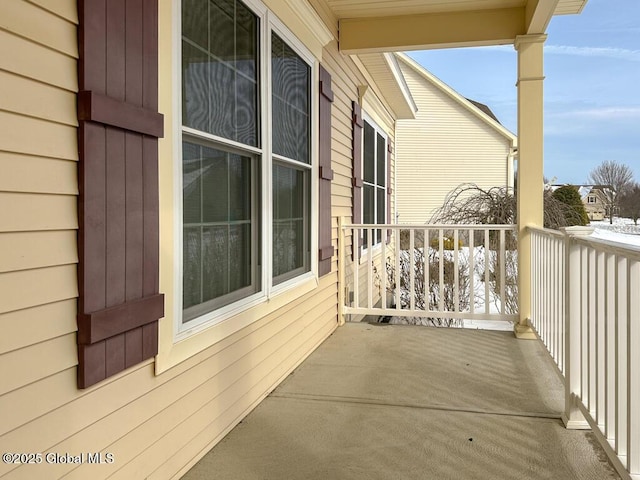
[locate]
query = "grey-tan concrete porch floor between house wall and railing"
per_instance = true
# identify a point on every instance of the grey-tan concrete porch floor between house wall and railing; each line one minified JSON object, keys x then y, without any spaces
{"x":403,"y":402}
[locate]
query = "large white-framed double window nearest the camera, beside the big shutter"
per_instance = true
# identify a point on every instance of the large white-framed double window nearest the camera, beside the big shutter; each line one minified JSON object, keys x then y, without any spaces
{"x":246,"y":157}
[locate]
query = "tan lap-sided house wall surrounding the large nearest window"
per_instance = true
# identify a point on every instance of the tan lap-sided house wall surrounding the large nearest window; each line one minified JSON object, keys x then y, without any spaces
{"x":159,"y":417}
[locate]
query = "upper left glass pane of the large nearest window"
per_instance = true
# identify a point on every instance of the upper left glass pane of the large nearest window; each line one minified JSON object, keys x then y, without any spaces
{"x":219,"y":69}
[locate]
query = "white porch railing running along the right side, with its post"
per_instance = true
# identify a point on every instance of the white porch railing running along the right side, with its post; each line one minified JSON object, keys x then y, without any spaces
{"x":586,"y":309}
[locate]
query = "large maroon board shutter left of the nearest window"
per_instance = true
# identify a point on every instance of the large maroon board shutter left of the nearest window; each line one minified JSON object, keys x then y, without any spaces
{"x":119,"y":125}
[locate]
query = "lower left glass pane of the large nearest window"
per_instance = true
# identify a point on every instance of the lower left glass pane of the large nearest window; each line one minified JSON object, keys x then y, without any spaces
{"x":221,"y":226}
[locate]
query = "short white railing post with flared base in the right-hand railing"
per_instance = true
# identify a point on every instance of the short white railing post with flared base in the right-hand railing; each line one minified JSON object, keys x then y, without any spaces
{"x":572,"y":416}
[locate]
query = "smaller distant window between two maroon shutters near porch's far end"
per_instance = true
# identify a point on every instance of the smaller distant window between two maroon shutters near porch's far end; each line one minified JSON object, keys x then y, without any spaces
{"x":374,"y":168}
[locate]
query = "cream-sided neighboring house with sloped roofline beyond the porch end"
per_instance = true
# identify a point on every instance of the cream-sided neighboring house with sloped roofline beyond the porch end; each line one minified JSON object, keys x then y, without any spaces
{"x":452,"y":140}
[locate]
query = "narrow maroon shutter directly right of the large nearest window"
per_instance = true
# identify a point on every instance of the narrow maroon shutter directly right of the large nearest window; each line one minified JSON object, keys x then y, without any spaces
{"x":325,"y":250}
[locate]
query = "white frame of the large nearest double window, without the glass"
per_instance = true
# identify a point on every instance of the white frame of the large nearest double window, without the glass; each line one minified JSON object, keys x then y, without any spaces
{"x":268,"y":23}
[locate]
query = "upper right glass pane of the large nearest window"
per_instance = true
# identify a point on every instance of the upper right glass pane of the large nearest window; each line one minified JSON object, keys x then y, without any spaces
{"x":291,"y":78}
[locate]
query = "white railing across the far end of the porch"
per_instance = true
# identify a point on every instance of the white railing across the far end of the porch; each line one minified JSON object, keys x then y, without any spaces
{"x":445,"y":272}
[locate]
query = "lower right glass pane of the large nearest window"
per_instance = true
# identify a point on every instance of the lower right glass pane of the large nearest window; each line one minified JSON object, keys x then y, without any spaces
{"x":291,"y":234}
